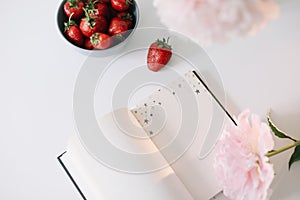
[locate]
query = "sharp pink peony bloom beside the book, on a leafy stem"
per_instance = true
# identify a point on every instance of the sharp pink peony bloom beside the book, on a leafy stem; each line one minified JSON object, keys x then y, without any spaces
{"x":240,"y":163}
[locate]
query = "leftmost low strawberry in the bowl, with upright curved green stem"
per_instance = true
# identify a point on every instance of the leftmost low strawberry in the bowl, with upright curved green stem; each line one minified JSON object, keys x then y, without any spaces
{"x":73,"y":32}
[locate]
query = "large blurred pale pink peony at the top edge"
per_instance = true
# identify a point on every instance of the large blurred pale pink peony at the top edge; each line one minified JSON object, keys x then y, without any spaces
{"x":206,"y":21}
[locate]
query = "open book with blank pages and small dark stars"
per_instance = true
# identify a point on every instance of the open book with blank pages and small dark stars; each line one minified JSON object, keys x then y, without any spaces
{"x":175,"y":129}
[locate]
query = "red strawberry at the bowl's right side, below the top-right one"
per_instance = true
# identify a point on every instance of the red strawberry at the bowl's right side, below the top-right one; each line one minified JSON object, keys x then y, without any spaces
{"x":118,"y":25}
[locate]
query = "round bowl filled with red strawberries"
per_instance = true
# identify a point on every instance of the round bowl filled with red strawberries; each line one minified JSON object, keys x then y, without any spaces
{"x":100,"y":27}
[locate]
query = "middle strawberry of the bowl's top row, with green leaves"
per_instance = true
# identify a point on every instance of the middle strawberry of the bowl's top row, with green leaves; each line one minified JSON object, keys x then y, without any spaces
{"x":96,"y":9}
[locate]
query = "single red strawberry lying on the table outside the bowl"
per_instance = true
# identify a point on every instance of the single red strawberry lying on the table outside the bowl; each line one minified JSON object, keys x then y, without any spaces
{"x":159,"y":54}
